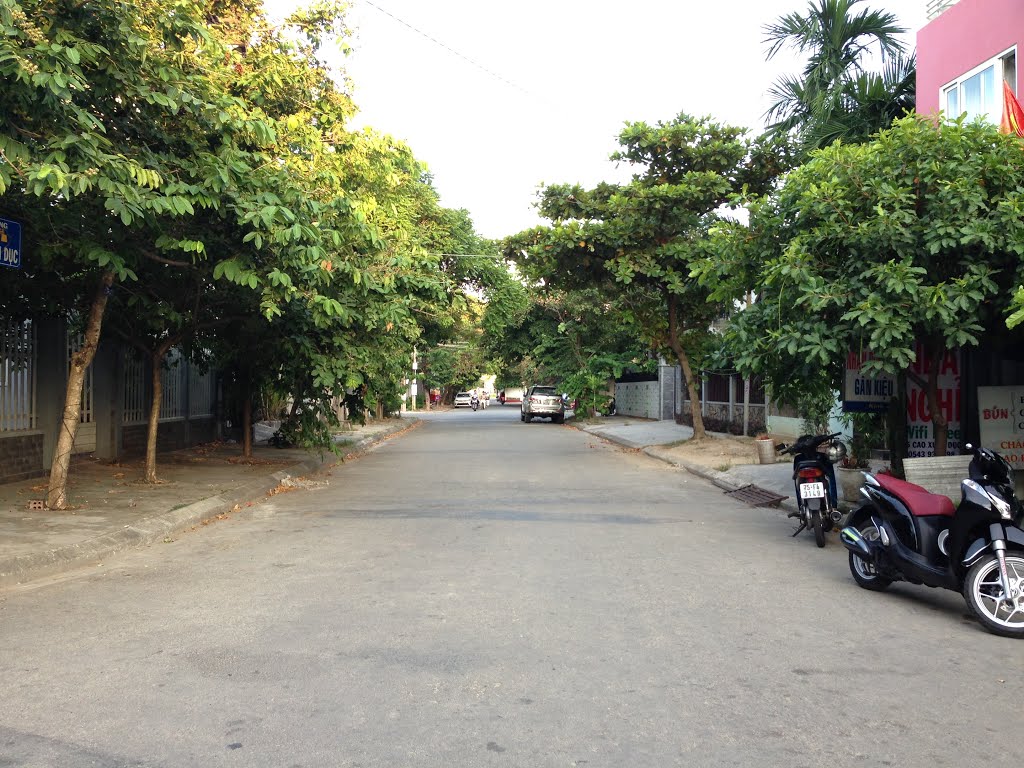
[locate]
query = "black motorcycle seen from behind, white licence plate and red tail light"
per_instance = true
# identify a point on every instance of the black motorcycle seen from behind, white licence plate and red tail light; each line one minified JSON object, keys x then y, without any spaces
{"x":815,"y":481}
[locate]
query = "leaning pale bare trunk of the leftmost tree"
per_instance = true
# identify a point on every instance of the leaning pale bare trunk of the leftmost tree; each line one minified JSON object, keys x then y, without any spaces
{"x":57,"y":493}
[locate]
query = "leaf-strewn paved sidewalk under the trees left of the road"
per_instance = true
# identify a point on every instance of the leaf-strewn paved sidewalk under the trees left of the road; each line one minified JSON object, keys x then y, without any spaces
{"x":112,"y":510}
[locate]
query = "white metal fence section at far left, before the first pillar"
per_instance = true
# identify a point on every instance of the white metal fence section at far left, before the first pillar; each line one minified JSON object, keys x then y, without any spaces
{"x":18,"y":376}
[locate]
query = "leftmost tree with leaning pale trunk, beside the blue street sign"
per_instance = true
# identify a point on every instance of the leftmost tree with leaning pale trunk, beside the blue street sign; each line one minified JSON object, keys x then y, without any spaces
{"x":106,"y":121}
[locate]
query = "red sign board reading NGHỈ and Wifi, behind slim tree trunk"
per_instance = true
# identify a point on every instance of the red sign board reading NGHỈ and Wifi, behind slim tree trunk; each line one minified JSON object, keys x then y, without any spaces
{"x":921,"y":435}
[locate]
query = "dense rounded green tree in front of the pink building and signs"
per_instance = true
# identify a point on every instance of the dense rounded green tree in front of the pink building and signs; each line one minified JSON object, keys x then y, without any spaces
{"x":916,"y":236}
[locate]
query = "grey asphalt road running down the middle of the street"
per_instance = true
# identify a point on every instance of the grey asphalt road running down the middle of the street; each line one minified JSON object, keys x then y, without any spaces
{"x":482,"y":592}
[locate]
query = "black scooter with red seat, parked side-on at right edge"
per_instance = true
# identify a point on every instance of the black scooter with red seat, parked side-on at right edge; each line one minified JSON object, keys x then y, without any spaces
{"x":905,"y":533}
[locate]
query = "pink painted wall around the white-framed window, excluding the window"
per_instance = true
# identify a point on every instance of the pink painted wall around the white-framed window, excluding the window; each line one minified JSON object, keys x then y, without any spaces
{"x":960,"y":39}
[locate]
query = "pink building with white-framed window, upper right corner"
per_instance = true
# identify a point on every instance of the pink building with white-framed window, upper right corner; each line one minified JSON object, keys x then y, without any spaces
{"x":965,"y":53}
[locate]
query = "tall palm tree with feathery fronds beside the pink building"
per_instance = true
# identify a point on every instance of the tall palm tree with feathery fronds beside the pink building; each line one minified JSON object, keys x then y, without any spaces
{"x":836,"y":97}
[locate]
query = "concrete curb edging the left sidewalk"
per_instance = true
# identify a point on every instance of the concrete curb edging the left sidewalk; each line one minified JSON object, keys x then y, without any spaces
{"x":21,"y":569}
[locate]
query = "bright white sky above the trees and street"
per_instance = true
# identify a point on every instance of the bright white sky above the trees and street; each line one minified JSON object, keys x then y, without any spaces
{"x":581,"y":69}
